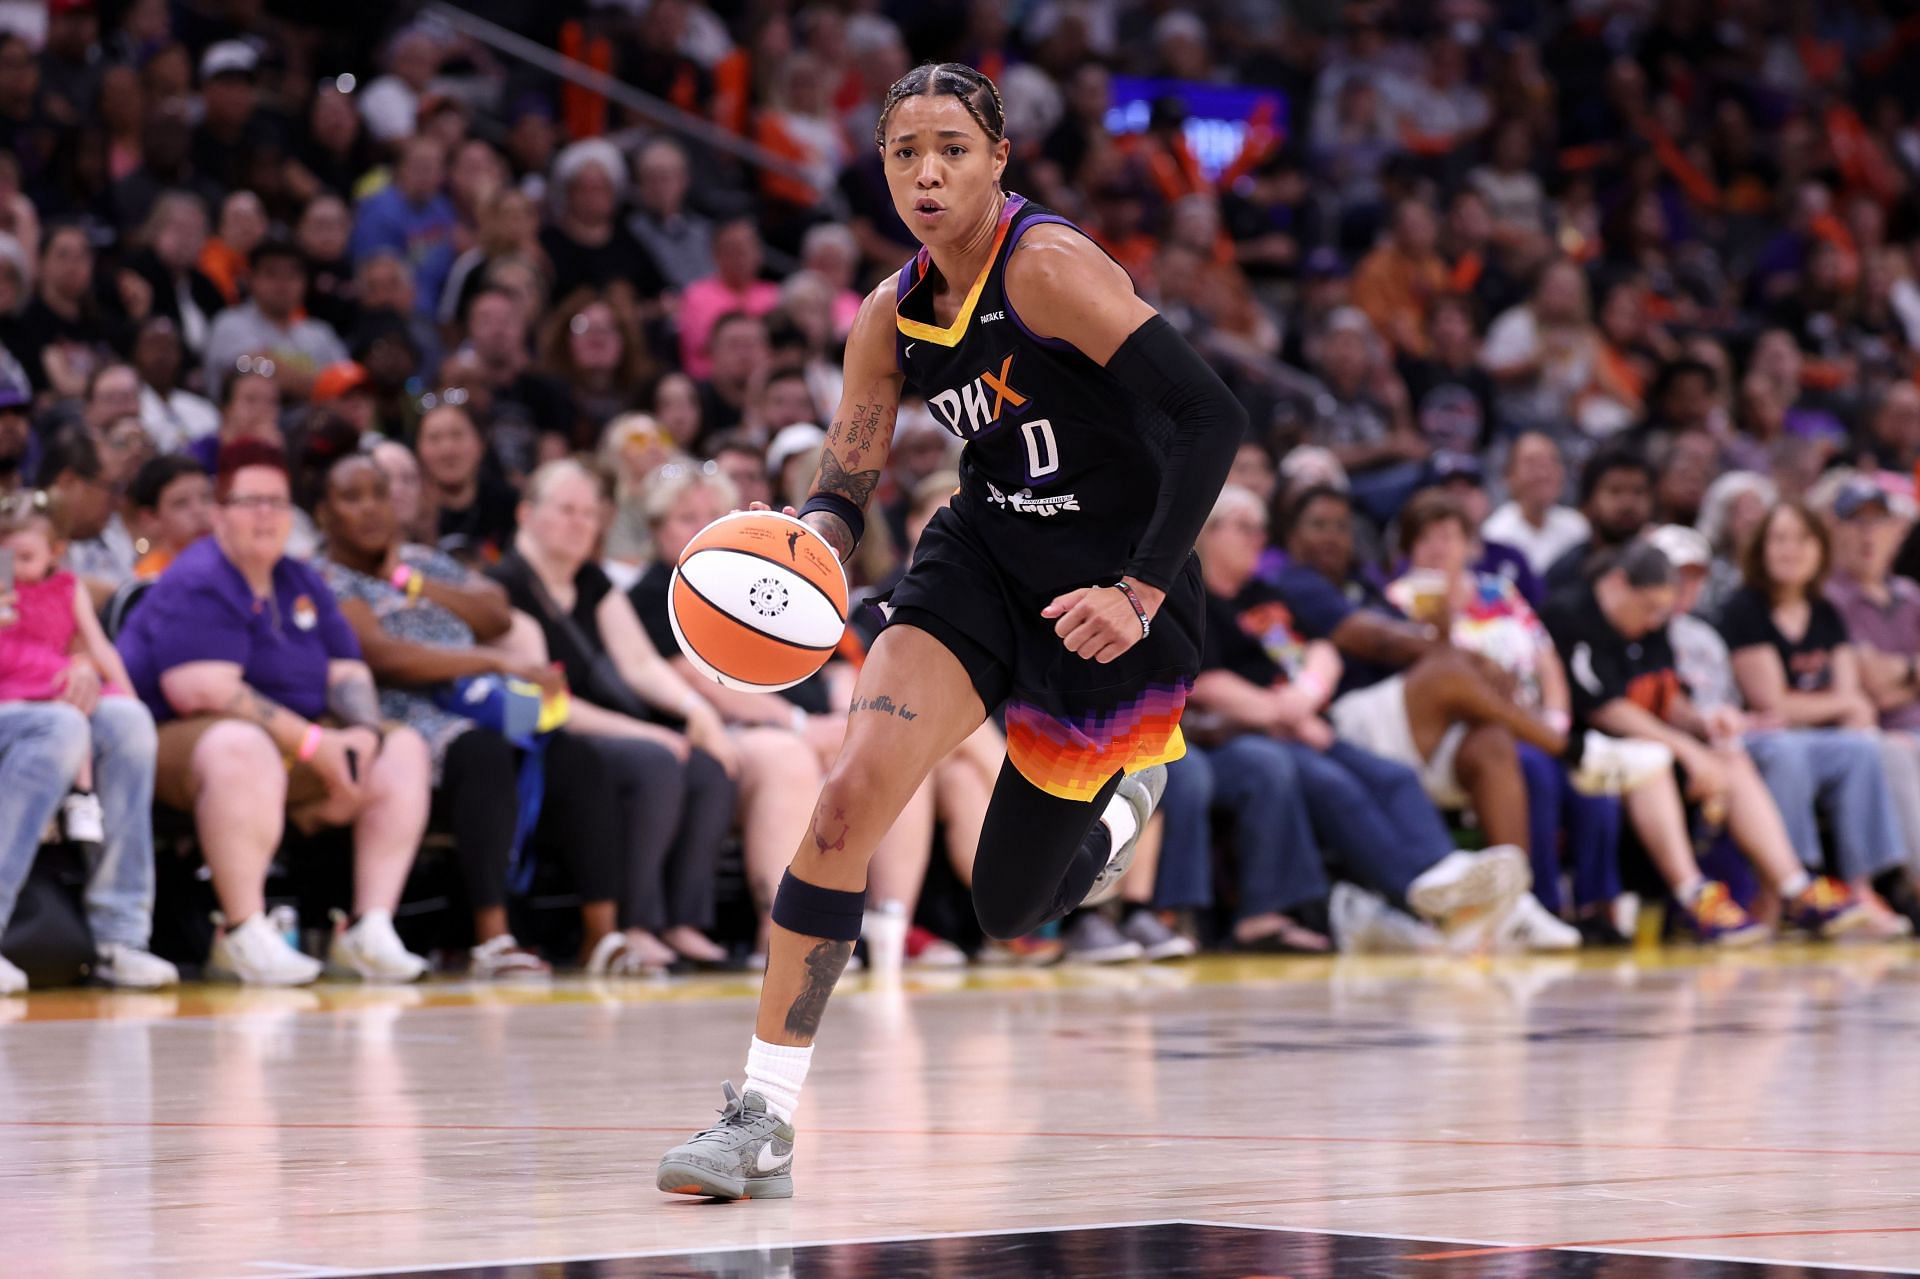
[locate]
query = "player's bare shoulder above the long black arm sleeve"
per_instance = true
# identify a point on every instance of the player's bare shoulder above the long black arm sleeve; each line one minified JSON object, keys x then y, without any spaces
{"x":1065,"y":287}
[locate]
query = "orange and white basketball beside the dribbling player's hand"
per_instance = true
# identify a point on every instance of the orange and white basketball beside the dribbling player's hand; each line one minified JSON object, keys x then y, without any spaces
{"x":759,"y":602}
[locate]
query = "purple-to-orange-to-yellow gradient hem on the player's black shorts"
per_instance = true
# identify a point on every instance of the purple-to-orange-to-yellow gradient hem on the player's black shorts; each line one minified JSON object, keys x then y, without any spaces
{"x":1074,"y":760}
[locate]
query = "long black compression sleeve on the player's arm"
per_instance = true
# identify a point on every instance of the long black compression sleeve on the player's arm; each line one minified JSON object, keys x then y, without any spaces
{"x":1209,"y":425}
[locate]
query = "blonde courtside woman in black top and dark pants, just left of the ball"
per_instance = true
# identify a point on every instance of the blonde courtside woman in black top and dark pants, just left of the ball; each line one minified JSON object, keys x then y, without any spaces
{"x":675,"y":790}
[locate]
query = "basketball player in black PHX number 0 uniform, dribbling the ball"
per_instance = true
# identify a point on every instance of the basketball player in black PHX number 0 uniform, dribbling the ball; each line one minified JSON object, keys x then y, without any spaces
{"x":1061,"y":583}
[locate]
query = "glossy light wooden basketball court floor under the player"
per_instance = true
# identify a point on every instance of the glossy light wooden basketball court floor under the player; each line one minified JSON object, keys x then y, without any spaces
{"x":1669,"y":1115}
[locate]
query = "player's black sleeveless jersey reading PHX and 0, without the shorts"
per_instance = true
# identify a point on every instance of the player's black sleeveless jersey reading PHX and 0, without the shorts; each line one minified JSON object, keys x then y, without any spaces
{"x":1061,"y":468}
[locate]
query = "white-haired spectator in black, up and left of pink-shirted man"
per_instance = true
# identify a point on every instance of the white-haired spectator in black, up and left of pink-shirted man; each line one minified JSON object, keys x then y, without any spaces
{"x":587,"y":243}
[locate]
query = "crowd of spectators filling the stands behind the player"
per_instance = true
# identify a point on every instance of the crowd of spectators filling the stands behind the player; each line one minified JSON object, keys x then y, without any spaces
{"x":360,"y":387}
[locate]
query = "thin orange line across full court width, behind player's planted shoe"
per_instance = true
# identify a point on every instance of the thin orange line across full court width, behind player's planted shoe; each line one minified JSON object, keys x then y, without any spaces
{"x":1295,"y":1140}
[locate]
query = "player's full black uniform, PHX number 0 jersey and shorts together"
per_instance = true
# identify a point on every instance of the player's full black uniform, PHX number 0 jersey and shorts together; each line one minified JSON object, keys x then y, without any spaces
{"x":1059,"y":485}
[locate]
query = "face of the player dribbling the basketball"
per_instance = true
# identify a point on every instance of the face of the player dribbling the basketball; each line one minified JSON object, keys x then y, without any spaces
{"x":942,"y":170}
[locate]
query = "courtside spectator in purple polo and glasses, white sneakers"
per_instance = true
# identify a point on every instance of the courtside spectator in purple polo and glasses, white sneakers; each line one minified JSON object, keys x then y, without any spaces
{"x":268,"y":713}
